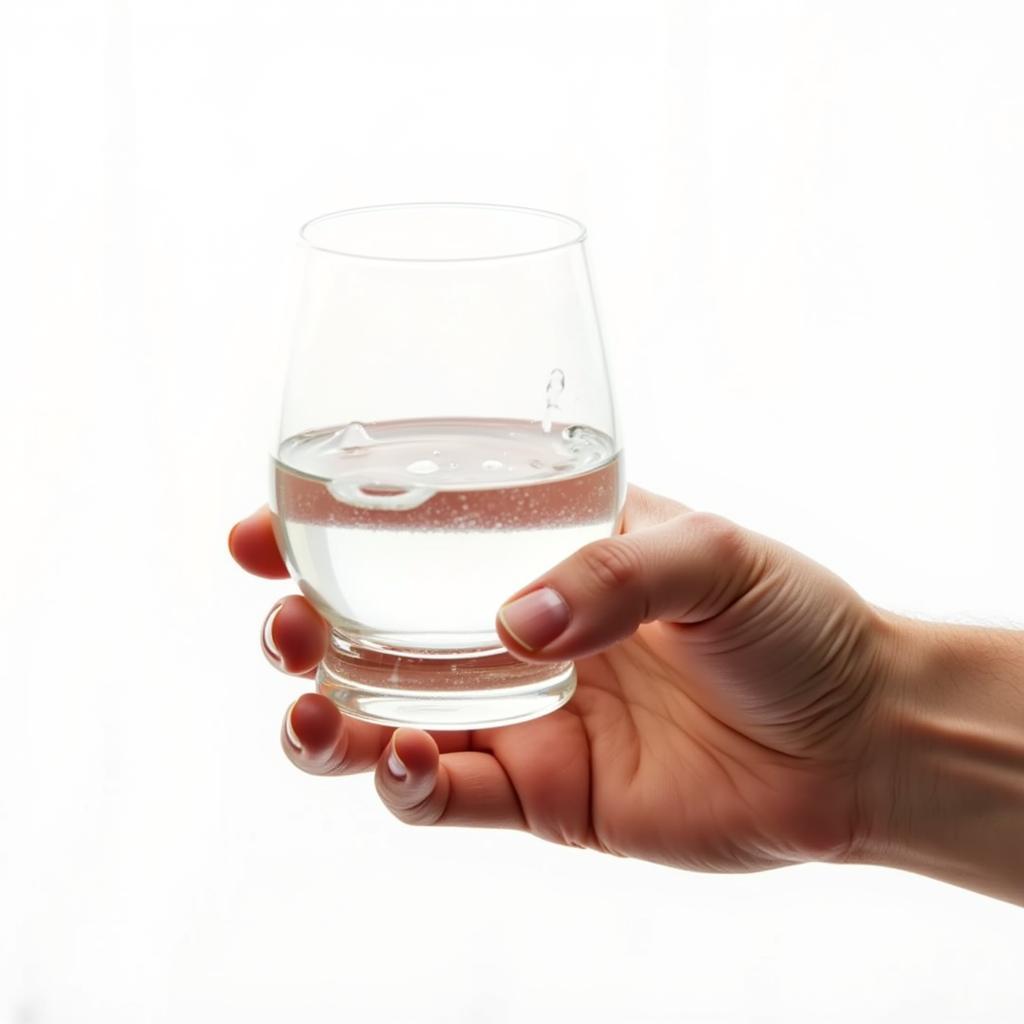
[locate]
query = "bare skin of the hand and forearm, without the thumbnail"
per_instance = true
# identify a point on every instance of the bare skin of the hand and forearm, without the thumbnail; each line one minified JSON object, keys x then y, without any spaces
{"x":739,"y":708}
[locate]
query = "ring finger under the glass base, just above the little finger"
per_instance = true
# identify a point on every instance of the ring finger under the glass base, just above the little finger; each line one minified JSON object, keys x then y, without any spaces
{"x":321,"y":741}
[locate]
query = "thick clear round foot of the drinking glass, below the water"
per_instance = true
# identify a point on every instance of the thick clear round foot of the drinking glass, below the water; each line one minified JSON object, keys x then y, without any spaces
{"x":453,"y":691}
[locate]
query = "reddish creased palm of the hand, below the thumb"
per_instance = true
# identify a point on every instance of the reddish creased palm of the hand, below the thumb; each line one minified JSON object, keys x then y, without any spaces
{"x":637,"y":765}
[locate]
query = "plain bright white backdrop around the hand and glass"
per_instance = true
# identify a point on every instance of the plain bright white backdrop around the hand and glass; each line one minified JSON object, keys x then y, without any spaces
{"x":806,"y":227}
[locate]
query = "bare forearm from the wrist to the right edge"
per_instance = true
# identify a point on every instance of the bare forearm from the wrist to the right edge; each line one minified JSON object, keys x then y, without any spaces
{"x":945,"y":790}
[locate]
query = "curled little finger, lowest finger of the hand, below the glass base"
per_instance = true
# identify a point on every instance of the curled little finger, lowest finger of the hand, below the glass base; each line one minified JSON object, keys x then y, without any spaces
{"x":465,"y":788}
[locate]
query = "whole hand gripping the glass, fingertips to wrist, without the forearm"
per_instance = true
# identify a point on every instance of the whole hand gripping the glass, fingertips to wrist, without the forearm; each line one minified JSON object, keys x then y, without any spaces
{"x":728,"y":694}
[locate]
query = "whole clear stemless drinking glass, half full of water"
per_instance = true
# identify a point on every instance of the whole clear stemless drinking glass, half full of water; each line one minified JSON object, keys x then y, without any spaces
{"x":448,"y":435}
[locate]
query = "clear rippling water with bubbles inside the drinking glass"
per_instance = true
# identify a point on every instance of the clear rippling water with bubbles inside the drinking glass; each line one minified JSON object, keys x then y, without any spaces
{"x":409,"y":535}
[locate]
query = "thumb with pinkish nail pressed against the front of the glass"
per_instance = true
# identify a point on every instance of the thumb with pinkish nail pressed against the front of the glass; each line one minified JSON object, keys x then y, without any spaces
{"x":687,"y":570}
